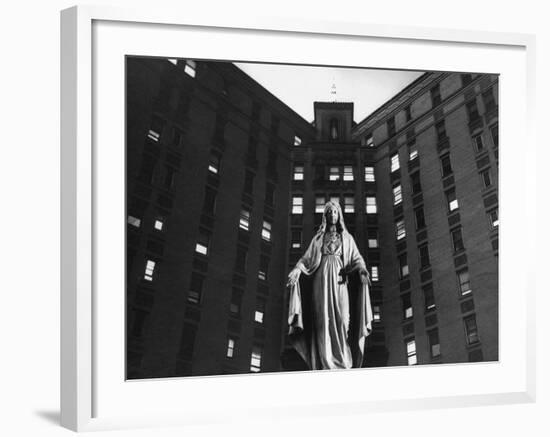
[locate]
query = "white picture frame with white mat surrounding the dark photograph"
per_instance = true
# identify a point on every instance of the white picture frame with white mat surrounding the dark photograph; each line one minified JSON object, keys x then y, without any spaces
{"x":92,"y":394}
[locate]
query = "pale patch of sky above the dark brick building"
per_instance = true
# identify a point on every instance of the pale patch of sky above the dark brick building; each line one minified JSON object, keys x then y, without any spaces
{"x":300,"y":86}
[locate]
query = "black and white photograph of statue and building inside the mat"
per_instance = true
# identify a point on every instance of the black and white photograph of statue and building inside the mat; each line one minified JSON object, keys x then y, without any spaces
{"x":300,"y":217}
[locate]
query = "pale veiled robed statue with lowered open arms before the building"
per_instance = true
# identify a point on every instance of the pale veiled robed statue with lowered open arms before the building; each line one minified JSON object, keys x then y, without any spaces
{"x":327,"y":335}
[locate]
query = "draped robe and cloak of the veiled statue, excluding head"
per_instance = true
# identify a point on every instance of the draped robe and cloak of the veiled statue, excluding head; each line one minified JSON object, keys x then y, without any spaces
{"x":328,"y":345}
